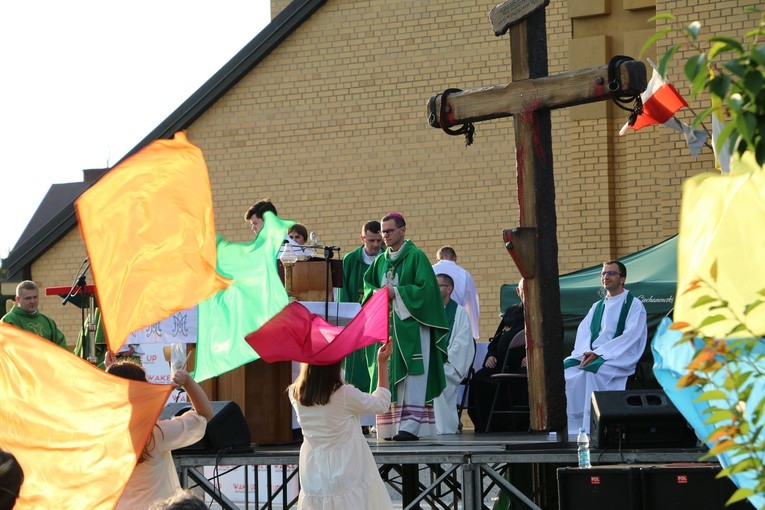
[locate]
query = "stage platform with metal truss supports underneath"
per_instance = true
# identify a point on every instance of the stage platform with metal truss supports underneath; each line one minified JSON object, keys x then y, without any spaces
{"x":449,"y":471}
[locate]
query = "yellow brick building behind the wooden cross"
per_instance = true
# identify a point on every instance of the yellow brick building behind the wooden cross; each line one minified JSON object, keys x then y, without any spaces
{"x":325,"y":112}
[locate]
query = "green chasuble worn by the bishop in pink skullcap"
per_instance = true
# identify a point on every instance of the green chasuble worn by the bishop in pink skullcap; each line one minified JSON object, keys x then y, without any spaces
{"x":412,"y":275}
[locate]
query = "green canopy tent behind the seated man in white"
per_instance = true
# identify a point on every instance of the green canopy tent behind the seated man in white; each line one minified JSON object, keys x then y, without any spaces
{"x":651,"y":276}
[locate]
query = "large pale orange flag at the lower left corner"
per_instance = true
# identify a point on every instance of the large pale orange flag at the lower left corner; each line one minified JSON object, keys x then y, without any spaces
{"x":76,"y":431}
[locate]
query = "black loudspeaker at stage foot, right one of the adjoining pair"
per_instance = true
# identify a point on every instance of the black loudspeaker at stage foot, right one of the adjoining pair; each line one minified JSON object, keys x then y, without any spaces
{"x":681,"y":486}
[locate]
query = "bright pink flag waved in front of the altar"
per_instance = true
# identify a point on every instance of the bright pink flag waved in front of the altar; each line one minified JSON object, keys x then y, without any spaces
{"x":295,"y":334}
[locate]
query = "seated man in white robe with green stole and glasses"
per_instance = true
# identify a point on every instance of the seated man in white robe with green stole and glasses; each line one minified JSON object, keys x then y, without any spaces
{"x":609,"y":343}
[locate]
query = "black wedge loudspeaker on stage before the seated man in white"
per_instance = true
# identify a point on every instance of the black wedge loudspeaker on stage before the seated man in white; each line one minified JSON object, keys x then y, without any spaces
{"x":637,"y":419}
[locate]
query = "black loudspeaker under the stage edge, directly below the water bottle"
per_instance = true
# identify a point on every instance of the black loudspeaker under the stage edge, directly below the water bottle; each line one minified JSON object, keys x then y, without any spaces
{"x":599,"y":487}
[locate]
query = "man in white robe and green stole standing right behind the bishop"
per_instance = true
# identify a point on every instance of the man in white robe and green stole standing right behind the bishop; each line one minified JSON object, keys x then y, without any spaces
{"x":461,"y":353}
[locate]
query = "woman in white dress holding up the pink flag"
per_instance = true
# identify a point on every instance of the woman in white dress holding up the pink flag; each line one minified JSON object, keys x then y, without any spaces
{"x":337,"y":469}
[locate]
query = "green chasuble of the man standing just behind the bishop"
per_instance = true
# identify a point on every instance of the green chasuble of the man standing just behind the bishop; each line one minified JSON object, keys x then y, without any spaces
{"x":357,"y":363}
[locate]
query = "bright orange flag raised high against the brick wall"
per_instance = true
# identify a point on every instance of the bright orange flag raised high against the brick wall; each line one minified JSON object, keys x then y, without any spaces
{"x":149,"y":230}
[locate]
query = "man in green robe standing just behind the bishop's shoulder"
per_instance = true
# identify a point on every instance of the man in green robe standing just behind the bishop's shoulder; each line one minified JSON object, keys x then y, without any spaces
{"x":355,"y":264}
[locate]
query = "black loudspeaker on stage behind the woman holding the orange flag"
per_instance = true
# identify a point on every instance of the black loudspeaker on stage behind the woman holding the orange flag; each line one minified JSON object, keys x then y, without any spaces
{"x":227,"y":430}
